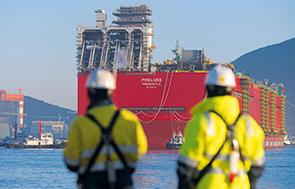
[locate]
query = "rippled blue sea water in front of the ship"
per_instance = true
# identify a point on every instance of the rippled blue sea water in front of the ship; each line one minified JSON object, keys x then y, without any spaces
{"x":29,"y":168}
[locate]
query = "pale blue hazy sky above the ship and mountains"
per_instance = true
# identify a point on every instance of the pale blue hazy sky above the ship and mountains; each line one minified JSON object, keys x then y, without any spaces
{"x":38,"y":38}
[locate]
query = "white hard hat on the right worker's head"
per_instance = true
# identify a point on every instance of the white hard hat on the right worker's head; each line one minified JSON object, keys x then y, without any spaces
{"x":221,"y":76}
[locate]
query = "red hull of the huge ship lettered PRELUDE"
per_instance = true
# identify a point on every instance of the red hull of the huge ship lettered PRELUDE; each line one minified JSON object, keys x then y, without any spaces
{"x":162,"y":101}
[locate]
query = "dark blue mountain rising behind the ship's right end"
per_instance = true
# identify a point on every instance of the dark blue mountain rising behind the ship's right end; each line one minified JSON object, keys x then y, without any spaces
{"x":276,"y":63}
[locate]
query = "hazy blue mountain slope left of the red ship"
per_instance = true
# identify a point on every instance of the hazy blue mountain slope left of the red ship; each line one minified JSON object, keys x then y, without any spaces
{"x":35,"y":110}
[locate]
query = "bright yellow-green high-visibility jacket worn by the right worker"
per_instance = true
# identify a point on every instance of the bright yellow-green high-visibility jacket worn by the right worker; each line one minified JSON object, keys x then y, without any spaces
{"x":205,"y":134}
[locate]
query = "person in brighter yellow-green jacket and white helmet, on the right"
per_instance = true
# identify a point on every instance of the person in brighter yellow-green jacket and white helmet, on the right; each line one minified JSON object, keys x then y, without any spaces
{"x":222,"y":149}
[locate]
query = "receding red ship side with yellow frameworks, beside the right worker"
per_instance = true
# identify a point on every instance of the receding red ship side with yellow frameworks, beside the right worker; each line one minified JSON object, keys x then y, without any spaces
{"x":265,"y":102}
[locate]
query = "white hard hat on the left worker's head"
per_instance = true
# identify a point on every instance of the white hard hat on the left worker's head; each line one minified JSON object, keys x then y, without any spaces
{"x":101,"y":79}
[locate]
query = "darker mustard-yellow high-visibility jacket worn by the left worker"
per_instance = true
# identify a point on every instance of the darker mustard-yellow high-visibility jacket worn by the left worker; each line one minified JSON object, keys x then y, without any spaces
{"x":85,"y":136}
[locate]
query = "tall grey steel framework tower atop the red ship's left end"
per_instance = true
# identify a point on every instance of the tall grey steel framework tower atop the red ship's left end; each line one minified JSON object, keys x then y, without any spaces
{"x":131,"y":33}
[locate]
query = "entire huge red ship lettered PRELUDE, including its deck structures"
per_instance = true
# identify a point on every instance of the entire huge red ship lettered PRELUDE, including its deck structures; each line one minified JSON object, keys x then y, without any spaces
{"x":161,"y":95}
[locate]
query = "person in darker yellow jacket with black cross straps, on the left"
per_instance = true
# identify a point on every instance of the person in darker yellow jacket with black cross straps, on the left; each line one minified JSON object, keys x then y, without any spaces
{"x":104,"y":145}
